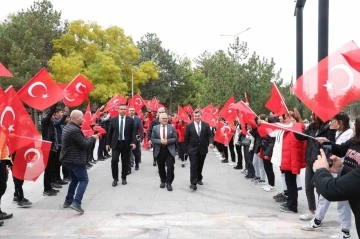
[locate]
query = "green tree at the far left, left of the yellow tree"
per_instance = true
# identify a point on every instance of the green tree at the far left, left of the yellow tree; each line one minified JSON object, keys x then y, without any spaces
{"x":26,"y":41}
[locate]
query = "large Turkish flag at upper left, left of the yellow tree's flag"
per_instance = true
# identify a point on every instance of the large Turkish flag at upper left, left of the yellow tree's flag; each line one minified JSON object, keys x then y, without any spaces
{"x":41,"y":91}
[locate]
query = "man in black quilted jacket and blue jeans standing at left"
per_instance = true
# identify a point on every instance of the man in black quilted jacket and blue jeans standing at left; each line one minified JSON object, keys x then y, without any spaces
{"x":73,"y":156}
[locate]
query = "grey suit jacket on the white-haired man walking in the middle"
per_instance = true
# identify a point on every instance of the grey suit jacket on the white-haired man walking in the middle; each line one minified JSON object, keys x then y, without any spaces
{"x":171,"y":139}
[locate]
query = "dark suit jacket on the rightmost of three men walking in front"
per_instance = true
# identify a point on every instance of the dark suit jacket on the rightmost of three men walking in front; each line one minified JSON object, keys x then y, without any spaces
{"x":194,"y":143}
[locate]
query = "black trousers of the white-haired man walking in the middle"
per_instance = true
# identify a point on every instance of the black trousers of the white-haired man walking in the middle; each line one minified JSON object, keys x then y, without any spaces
{"x":164,"y":158}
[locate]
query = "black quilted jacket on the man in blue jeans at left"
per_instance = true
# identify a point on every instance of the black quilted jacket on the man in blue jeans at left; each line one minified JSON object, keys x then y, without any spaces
{"x":74,"y":145}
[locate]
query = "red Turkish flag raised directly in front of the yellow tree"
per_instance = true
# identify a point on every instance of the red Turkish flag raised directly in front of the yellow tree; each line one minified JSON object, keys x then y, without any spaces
{"x":77,"y":91}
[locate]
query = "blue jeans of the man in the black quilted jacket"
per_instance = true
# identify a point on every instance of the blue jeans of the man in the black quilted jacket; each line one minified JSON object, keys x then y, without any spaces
{"x":79,"y":180}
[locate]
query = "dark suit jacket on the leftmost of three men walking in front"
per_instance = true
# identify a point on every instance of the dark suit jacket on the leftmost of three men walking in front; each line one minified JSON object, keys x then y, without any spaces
{"x":129,"y":132}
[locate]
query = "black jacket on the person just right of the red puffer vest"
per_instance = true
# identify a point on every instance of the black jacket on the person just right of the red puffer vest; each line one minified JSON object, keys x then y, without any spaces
{"x":312,"y":146}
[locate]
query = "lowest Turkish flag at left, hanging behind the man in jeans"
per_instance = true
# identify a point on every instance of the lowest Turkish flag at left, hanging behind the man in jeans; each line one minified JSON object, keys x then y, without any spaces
{"x":30,"y":161}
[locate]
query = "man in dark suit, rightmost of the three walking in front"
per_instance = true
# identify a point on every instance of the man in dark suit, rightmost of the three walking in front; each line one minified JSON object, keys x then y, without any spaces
{"x":198,"y":137}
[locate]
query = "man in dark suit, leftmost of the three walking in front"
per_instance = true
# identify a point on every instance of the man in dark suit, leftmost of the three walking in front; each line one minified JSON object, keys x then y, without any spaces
{"x":121,"y":137}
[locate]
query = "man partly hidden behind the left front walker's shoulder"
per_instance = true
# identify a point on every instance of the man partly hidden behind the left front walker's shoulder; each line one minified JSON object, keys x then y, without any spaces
{"x":139,"y":138}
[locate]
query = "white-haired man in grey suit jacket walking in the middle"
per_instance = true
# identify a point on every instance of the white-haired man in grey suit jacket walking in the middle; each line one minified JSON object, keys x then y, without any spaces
{"x":163,"y":137}
